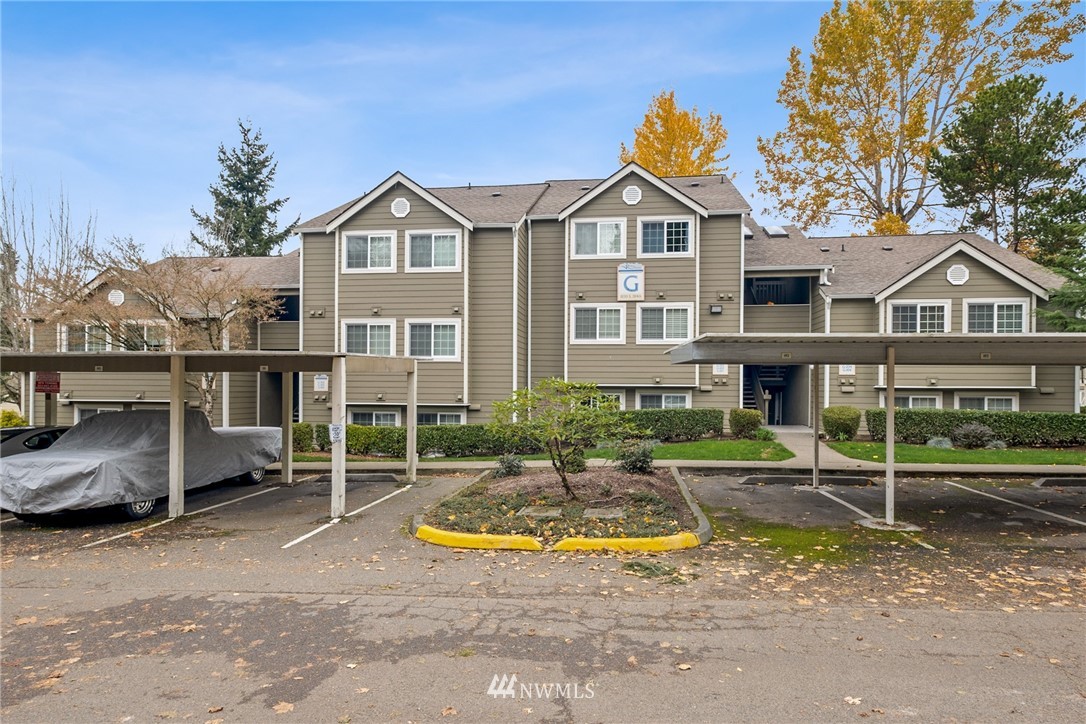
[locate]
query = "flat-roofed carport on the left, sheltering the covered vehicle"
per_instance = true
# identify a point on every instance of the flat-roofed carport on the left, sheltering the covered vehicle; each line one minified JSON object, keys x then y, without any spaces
{"x":179,"y":364}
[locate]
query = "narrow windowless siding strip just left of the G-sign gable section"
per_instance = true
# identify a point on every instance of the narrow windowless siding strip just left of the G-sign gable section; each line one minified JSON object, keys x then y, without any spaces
{"x":548,"y":265}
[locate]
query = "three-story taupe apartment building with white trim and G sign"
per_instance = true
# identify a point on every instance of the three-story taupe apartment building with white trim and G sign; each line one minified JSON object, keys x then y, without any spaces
{"x":495,"y":288}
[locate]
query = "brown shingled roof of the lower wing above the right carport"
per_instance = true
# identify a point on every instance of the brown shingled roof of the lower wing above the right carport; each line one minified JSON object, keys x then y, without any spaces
{"x":872,"y":268}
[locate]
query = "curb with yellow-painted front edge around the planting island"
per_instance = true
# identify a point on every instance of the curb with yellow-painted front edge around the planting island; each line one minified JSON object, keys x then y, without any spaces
{"x":700,"y":537}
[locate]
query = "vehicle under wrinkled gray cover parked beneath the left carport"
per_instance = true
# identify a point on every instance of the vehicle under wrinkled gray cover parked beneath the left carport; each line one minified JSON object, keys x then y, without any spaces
{"x":113,"y":459}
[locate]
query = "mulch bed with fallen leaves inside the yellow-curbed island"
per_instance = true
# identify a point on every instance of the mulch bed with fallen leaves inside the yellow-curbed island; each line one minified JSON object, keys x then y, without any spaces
{"x":653,"y":504}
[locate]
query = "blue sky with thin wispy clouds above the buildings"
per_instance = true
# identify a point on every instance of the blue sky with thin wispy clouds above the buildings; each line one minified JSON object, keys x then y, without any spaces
{"x":123,"y":106}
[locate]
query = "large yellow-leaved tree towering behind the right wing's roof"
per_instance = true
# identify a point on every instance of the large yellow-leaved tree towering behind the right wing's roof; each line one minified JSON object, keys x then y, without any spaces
{"x":866,"y":111}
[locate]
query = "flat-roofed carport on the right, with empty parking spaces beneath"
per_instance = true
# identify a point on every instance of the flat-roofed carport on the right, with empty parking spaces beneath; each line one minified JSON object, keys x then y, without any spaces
{"x":889,"y":350}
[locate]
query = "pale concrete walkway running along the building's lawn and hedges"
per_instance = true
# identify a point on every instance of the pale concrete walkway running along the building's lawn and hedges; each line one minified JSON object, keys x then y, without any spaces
{"x":798,"y":439}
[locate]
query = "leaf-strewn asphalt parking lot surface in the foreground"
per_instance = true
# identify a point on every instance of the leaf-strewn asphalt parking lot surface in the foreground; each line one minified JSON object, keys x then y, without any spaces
{"x":792,"y":614}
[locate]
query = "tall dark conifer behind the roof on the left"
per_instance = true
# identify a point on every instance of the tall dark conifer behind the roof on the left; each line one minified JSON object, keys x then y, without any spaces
{"x":244,"y":221}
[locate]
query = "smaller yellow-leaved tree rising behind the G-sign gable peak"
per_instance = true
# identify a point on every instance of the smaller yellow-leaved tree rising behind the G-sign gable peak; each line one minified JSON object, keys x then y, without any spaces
{"x":673,"y":142}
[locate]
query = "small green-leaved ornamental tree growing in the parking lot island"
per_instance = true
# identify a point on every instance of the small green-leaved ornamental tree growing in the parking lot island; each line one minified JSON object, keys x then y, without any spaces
{"x":564,"y":418}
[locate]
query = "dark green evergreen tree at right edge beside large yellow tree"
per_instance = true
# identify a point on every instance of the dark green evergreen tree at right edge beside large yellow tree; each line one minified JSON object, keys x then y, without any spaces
{"x":1008,"y":161}
